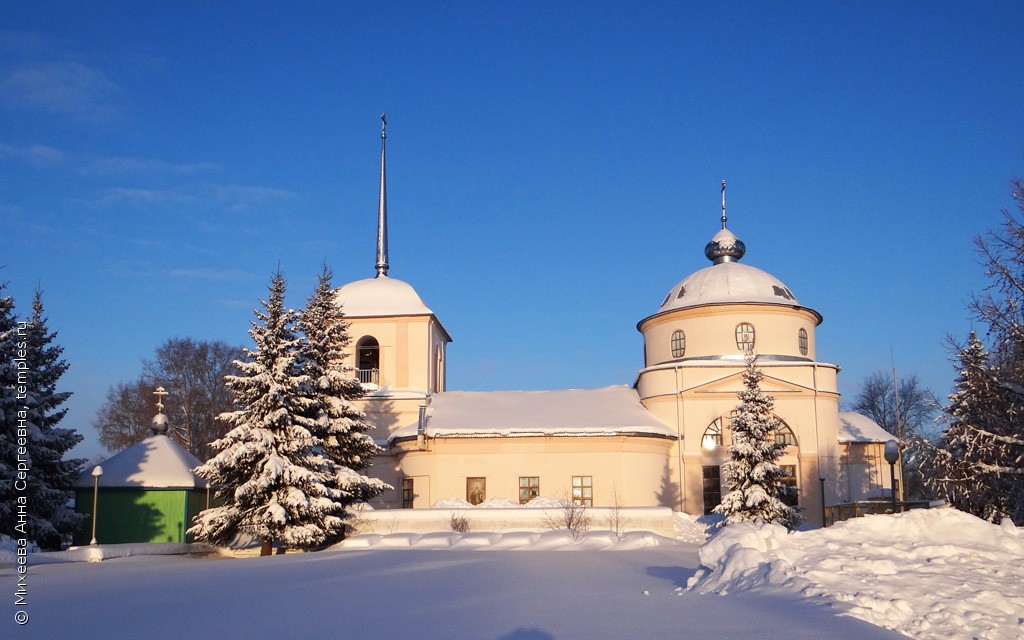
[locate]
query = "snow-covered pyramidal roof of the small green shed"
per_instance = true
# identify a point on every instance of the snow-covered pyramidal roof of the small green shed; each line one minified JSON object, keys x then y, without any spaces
{"x":156,"y":462}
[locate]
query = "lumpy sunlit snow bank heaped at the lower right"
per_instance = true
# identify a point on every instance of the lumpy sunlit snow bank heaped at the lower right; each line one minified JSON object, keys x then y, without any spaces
{"x":928,"y":574}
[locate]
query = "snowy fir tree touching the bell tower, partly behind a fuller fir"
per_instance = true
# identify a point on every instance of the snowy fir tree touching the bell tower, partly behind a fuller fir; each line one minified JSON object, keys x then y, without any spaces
{"x":332,"y":388}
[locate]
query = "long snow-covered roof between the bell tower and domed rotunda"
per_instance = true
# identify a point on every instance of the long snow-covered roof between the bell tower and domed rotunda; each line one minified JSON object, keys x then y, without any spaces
{"x":609,"y":411}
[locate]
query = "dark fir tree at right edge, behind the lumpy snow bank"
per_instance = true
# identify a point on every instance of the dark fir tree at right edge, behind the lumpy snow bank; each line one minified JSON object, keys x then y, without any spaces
{"x":978,"y":463}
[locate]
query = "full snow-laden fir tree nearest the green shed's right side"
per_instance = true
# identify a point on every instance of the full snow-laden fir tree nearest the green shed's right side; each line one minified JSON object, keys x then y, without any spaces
{"x":271,"y":470}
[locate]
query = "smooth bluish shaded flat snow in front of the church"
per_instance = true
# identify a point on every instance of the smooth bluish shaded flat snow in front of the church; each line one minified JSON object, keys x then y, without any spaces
{"x":413,"y":593}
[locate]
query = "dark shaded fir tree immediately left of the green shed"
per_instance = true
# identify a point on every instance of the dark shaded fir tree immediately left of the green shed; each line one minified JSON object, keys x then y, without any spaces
{"x":53,"y":478}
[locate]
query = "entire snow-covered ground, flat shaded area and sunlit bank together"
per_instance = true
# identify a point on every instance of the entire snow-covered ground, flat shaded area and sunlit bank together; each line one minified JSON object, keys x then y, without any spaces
{"x":928,"y":575}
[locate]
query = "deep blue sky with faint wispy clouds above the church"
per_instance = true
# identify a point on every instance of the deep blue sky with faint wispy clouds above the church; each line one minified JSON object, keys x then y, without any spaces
{"x":553,"y":170}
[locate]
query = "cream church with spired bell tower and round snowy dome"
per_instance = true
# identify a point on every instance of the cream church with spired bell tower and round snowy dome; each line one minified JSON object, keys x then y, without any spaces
{"x":661,"y":441}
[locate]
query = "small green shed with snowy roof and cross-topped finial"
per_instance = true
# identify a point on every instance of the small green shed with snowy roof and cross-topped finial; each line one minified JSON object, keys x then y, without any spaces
{"x":147,"y":494}
